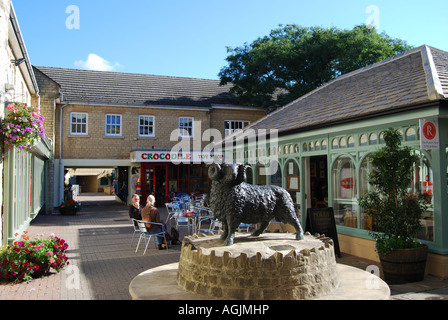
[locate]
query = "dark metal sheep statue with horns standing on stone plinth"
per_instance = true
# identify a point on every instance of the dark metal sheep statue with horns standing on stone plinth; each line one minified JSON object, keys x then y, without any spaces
{"x":233,"y":201}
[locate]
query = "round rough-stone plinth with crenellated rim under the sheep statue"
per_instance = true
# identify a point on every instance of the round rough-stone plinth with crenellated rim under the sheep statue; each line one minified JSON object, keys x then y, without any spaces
{"x":270,"y":267}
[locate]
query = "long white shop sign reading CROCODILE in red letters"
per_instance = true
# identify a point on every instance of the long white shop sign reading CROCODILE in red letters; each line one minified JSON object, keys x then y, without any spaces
{"x":175,"y":156}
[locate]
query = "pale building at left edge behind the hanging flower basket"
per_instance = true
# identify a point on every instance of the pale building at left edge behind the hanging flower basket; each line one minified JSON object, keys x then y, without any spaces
{"x":23,"y":192}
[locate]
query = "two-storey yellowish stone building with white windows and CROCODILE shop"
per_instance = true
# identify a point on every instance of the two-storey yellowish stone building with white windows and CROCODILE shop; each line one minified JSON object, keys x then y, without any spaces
{"x":127,"y":122}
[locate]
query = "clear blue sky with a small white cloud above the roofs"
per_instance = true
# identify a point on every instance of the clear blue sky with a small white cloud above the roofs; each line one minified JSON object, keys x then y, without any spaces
{"x":188,"y":38}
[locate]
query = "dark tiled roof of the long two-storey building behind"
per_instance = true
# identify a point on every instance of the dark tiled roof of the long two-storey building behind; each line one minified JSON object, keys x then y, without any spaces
{"x":137,"y":89}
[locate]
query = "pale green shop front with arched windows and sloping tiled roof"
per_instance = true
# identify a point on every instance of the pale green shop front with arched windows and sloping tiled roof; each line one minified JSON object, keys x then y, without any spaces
{"x":325,"y":137}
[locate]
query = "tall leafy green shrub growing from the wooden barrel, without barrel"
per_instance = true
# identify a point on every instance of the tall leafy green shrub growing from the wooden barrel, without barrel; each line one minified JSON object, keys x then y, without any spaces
{"x":396,"y":213}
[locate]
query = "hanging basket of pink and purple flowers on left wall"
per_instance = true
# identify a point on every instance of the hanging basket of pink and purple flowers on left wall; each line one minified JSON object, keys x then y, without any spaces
{"x":22,"y":126}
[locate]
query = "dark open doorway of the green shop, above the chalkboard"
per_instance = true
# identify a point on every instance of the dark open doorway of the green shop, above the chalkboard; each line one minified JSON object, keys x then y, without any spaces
{"x":318,"y":183}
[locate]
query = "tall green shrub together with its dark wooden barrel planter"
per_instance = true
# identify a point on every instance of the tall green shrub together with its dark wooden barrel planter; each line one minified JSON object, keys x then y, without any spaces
{"x":396,"y":213}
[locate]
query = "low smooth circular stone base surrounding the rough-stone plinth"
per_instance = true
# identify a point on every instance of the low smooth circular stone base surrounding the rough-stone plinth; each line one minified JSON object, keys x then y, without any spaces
{"x":161,"y":284}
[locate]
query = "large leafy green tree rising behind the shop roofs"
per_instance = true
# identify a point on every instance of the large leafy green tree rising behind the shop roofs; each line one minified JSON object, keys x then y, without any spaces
{"x":292,"y":61}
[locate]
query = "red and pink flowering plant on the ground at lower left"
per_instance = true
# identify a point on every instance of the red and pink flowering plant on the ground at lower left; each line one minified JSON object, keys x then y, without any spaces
{"x":29,"y":258}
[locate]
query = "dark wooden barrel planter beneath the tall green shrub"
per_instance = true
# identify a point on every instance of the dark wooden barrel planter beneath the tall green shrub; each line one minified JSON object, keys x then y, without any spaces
{"x":404,"y":265}
